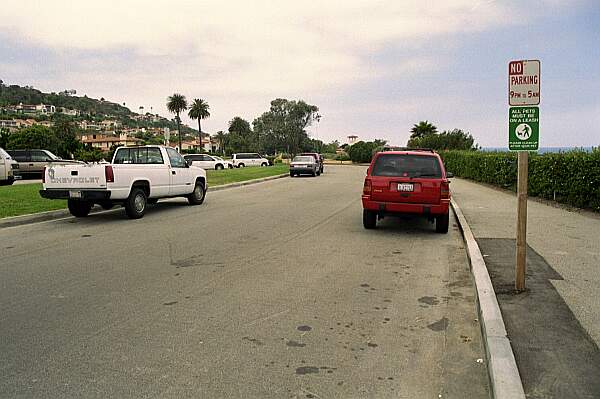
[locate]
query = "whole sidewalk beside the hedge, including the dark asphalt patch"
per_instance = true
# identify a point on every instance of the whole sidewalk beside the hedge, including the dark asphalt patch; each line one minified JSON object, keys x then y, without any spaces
{"x":554,"y":327}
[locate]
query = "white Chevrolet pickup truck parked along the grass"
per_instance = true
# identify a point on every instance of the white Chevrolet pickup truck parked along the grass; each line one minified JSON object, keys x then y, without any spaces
{"x":137,"y":176}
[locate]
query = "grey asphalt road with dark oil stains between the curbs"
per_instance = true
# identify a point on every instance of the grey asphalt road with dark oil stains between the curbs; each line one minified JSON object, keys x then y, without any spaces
{"x":268,"y":291}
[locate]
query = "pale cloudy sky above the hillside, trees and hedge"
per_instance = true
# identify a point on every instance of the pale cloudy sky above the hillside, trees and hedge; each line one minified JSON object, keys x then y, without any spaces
{"x":374,"y":68}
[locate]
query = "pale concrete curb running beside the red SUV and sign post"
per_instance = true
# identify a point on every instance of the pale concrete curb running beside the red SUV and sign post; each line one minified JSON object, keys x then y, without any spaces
{"x":502,"y":368}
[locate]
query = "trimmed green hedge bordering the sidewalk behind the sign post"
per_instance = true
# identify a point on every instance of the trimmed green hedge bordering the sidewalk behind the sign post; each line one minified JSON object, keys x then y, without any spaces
{"x":570,"y":177}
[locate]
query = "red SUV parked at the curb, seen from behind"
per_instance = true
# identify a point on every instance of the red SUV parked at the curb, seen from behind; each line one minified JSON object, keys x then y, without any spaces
{"x":406,"y":182}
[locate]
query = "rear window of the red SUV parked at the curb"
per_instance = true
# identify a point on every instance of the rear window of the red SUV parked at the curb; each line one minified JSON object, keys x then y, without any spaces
{"x":407,"y":165}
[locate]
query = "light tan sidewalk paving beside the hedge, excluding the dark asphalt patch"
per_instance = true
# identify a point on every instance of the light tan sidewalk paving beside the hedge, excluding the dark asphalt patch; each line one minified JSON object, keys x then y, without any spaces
{"x":568,"y":241}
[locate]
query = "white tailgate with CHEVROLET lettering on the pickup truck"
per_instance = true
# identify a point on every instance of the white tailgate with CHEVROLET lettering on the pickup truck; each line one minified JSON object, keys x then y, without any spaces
{"x":75,"y":176}
